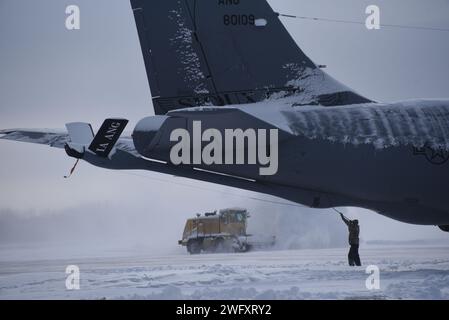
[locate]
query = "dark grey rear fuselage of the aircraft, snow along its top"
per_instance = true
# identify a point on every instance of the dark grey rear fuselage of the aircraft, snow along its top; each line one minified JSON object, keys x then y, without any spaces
{"x":391,"y":158}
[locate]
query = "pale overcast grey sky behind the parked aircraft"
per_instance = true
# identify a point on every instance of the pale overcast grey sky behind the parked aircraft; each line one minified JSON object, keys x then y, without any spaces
{"x":50,"y":76}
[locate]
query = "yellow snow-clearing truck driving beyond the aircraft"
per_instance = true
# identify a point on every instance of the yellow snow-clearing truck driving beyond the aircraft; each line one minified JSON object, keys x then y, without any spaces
{"x":224,"y":231}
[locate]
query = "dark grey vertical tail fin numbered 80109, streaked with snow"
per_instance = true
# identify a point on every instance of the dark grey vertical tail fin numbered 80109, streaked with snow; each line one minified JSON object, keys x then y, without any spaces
{"x":224,"y":52}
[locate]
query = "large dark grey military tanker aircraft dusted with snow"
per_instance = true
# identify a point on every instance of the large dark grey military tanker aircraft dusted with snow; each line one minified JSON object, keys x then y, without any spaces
{"x":233,"y":65}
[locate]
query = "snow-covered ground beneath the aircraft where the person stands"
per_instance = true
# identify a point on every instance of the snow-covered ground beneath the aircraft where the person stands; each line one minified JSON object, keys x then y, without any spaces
{"x":406,"y":272}
